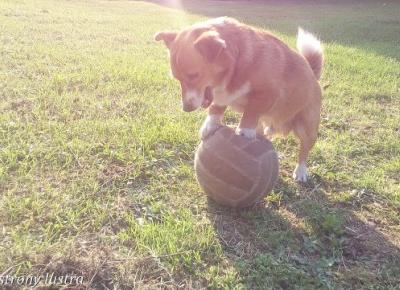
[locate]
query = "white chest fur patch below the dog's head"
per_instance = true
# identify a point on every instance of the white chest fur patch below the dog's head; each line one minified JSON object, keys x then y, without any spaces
{"x":235,"y":99}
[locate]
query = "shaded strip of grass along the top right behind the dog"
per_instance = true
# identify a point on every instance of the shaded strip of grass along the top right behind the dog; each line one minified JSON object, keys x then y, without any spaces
{"x":368,"y":25}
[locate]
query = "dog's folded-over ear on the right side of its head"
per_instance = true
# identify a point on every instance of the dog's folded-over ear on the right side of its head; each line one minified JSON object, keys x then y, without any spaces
{"x":210,"y":45}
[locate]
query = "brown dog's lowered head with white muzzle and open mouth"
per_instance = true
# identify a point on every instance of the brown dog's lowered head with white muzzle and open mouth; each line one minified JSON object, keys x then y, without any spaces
{"x":199,"y":60}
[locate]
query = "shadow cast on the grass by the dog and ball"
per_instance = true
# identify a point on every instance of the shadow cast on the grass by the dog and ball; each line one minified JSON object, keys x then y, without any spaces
{"x":299,"y":237}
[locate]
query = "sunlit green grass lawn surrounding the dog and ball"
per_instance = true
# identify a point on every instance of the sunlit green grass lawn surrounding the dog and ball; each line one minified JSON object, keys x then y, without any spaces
{"x":96,"y":156}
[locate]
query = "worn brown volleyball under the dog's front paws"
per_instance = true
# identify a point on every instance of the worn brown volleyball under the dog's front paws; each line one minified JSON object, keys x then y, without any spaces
{"x":236,"y":171}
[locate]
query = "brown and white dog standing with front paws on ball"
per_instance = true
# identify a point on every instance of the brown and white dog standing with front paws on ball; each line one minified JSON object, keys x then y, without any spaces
{"x":222,"y":62}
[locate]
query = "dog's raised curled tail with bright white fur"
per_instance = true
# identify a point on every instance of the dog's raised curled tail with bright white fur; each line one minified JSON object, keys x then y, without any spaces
{"x":310,"y":47}
